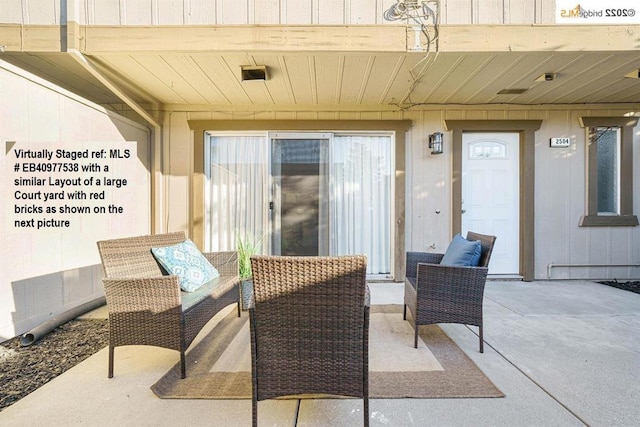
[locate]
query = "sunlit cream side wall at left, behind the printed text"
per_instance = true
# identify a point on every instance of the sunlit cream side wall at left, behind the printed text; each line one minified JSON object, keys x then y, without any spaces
{"x":54,"y":270}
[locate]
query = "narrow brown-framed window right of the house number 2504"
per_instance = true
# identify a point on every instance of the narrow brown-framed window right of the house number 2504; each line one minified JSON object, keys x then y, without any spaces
{"x":609,"y":171}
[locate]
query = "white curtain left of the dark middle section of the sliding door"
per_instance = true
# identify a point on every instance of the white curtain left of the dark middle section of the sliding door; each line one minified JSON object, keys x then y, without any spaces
{"x":238,"y":197}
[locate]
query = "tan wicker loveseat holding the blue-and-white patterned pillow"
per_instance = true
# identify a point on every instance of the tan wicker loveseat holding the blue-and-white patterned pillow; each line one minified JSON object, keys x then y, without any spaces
{"x":147,"y":307}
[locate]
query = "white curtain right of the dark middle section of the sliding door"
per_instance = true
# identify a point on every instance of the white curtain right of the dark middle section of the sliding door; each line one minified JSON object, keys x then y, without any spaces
{"x":361,"y":199}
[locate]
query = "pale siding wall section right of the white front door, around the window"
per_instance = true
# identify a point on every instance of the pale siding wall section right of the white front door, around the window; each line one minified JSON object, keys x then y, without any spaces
{"x":560,"y":201}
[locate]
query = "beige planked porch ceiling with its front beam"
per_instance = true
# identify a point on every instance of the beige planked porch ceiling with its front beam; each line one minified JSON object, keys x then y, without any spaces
{"x":312,"y":74}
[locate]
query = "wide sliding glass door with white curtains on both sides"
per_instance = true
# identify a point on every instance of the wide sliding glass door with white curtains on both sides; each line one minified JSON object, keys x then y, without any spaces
{"x":303,"y":194}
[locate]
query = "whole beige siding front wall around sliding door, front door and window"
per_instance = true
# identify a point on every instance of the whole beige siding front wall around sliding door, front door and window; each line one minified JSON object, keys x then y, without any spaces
{"x":559,"y":195}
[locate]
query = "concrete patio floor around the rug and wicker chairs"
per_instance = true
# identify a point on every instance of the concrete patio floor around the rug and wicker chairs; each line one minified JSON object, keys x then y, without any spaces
{"x":564,"y":353}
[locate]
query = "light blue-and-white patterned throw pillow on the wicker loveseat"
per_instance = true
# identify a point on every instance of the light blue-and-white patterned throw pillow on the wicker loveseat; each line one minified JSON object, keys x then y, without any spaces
{"x":187,"y":262}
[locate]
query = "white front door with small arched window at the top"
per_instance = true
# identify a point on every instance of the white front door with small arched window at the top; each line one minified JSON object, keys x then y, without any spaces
{"x":490,"y":194}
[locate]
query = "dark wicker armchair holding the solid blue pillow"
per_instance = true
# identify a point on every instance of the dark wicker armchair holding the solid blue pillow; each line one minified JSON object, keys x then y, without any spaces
{"x":437,"y":293}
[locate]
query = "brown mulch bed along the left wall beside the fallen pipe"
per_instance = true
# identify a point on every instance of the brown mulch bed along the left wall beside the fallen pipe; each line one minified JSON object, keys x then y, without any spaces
{"x":24,"y":369}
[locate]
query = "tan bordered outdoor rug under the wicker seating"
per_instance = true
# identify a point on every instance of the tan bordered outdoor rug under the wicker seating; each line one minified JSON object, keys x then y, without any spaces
{"x":219,"y":366}
